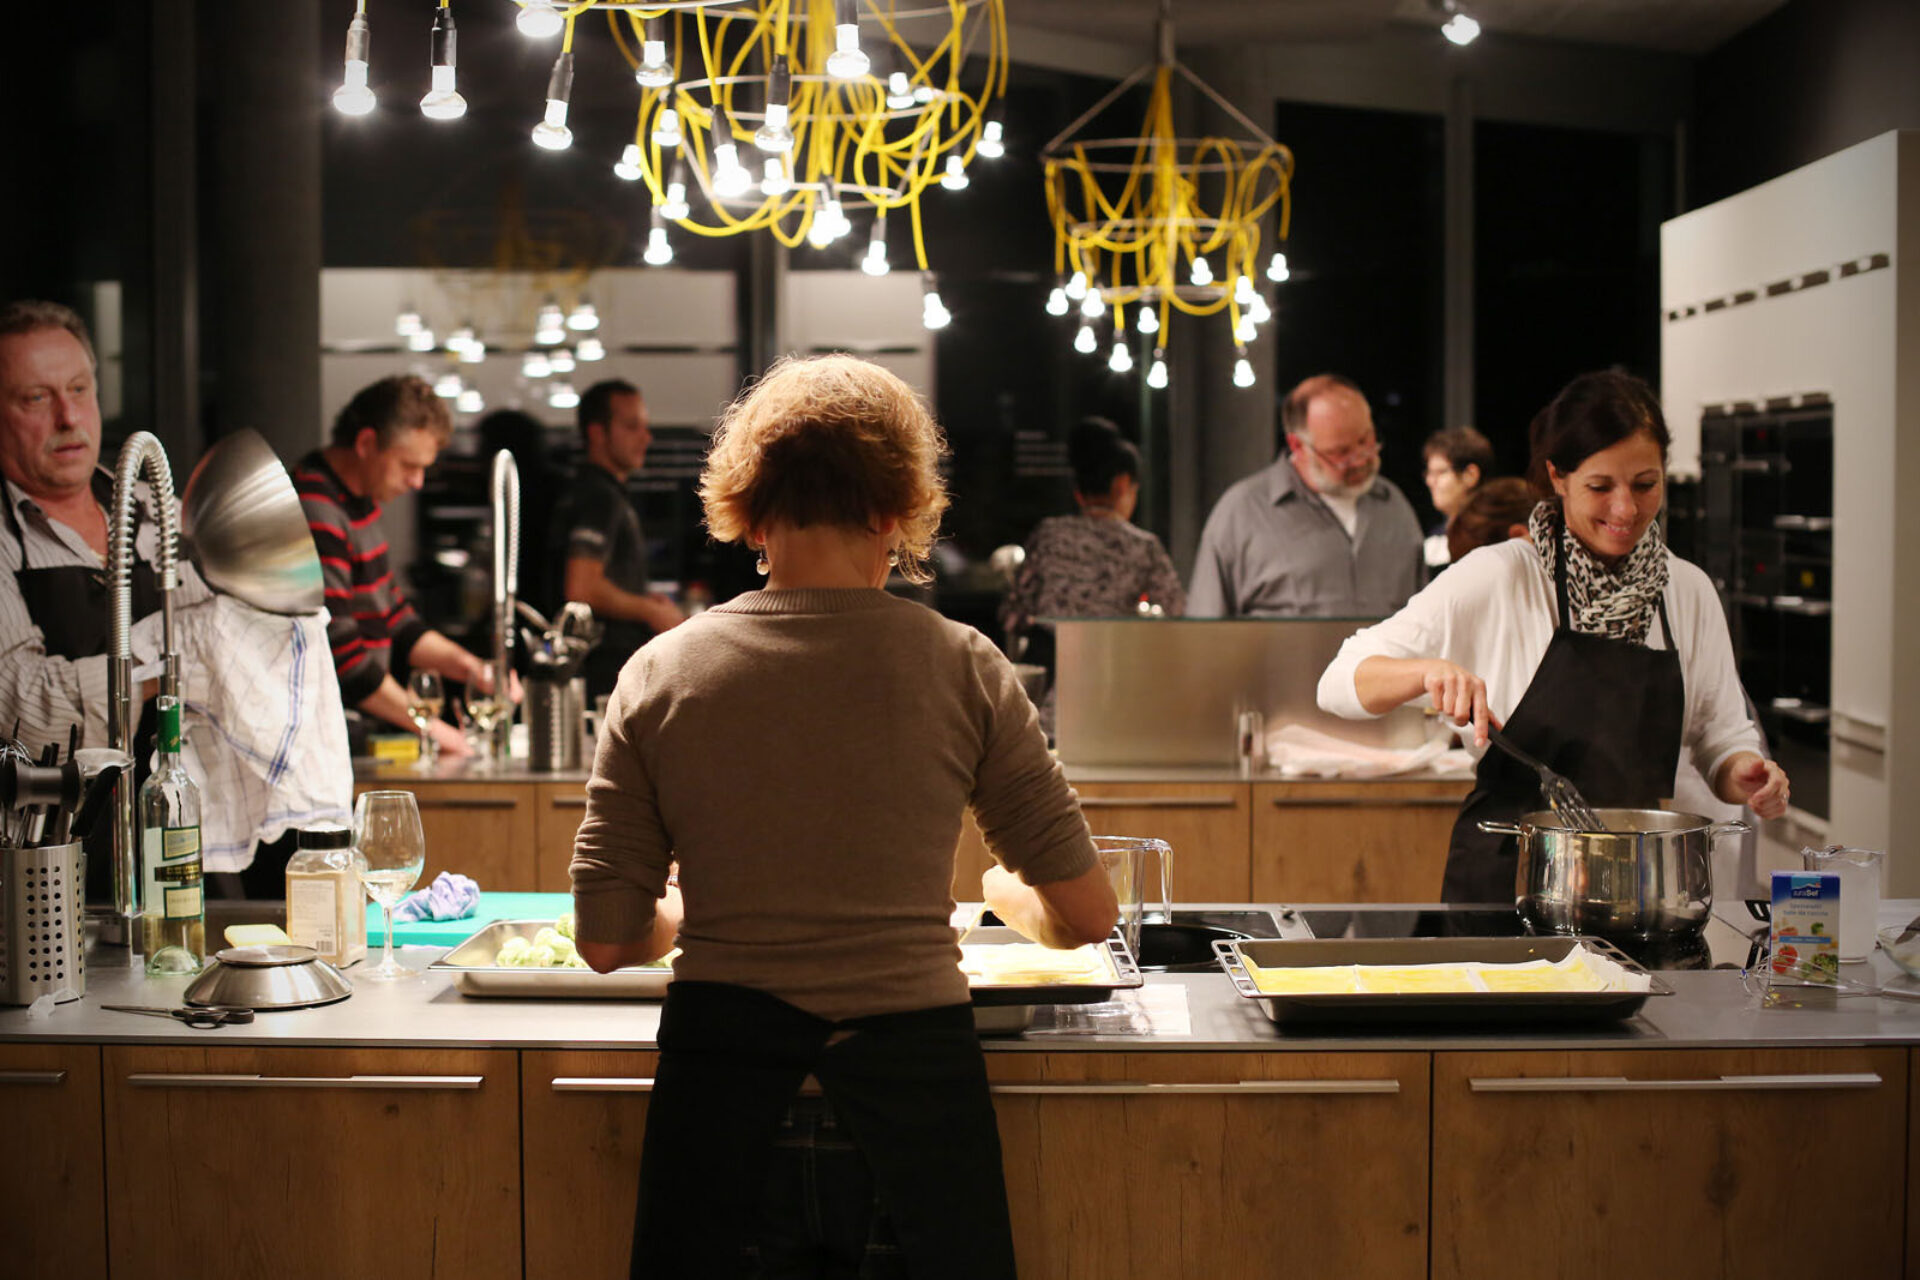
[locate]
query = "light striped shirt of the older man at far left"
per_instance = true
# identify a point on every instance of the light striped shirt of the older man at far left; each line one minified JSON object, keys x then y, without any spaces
{"x":51,"y":694}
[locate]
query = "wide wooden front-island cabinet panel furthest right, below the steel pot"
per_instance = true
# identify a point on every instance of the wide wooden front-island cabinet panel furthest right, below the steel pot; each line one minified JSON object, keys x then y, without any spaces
{"x":1669,"y":1162}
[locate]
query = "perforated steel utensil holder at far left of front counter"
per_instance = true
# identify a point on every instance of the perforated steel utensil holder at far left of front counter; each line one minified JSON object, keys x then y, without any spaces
{"x":43,"y":924}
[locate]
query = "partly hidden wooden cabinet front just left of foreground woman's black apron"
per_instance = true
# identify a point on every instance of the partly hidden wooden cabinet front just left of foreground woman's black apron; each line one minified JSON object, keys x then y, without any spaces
{"x":585,"y":1116}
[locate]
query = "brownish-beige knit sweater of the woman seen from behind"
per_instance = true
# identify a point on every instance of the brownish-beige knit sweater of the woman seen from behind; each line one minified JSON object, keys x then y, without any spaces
{"x":809,"y":757}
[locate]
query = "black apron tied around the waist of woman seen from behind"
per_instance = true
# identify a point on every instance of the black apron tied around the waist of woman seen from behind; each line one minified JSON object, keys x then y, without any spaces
{"x":896,"y":1175}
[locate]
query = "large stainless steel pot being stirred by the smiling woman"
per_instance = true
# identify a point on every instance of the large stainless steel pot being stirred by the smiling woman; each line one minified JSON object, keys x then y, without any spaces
{"x":1644,"y":880}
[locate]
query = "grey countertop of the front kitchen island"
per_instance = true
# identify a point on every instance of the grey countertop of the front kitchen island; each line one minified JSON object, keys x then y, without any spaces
{"x":1708,"y":1010}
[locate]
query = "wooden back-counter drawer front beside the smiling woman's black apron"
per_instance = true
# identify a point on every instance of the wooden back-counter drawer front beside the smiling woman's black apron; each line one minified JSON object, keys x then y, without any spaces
{"x":1353,"y":841}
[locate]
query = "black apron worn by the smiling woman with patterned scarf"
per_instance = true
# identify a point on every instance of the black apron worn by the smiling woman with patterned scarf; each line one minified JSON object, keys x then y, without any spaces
{"x":1604,"y":713}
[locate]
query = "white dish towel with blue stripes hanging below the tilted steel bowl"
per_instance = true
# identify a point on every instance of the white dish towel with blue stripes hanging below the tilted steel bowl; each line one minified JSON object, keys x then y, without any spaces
{"x":262,"y":724}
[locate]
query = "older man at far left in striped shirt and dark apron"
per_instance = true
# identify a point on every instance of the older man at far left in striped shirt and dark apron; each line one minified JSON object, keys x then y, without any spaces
{"x":55,"y":534}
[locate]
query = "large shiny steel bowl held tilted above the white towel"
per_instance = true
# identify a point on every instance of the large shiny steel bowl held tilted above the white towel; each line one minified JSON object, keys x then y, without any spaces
{"x":247,"y":531}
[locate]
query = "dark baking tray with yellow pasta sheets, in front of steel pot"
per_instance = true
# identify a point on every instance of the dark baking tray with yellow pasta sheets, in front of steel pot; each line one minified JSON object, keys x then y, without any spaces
{"x":1452,"y":1008}
